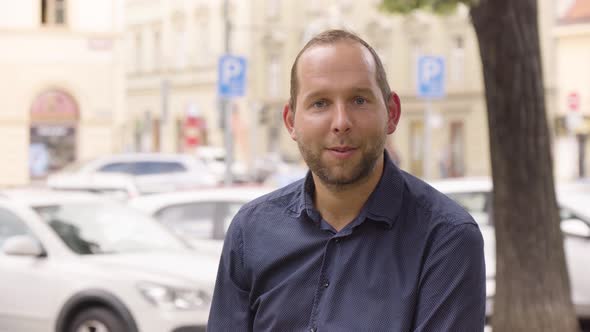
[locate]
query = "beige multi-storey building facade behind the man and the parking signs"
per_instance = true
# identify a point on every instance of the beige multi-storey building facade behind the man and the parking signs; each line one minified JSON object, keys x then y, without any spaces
{"x":174,"y":47}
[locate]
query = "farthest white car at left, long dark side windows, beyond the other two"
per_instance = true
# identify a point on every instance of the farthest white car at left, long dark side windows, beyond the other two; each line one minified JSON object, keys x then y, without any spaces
{"x":150,"y":172}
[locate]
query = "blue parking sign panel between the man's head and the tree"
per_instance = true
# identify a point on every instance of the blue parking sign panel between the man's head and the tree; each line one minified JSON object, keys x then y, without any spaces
{"x":431,"y":77}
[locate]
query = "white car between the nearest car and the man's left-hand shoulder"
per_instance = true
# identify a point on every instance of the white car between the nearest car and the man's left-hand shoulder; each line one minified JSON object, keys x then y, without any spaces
{"x":201,"y":217}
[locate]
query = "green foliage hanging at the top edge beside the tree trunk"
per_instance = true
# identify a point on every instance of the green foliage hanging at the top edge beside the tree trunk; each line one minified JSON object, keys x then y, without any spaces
{"x":438,"y":6}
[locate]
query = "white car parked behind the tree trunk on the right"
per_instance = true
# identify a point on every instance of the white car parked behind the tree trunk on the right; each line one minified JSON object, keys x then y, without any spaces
{"x":574,"y":209}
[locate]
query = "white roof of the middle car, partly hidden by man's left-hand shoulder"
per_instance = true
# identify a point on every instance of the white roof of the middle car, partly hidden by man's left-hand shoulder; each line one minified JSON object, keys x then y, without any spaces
{"x":240,"y":193}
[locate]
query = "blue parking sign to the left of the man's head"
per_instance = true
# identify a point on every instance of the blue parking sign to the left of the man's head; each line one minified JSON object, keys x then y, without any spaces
{"x":231,"y":76}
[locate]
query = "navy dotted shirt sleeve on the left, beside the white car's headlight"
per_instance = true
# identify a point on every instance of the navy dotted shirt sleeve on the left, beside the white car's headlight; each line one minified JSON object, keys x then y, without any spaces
{"x":230,"y":307}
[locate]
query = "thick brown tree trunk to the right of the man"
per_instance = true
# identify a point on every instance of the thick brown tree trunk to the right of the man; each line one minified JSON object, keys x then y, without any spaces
{"x":532,"y":285}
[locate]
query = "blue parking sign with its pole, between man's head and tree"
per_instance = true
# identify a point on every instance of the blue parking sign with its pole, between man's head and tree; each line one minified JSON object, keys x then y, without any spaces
{"x":430,"y":85}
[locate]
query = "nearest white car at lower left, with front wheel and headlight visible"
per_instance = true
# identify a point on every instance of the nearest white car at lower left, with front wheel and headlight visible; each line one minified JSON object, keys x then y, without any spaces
{"x":75,"y":262}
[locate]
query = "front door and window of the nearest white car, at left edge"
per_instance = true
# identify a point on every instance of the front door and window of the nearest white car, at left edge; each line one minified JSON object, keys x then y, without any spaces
{"x":29,"y":293}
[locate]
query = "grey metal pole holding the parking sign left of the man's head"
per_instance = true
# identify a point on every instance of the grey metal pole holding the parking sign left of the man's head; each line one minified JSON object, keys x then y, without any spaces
{"x":225,"y":105}
